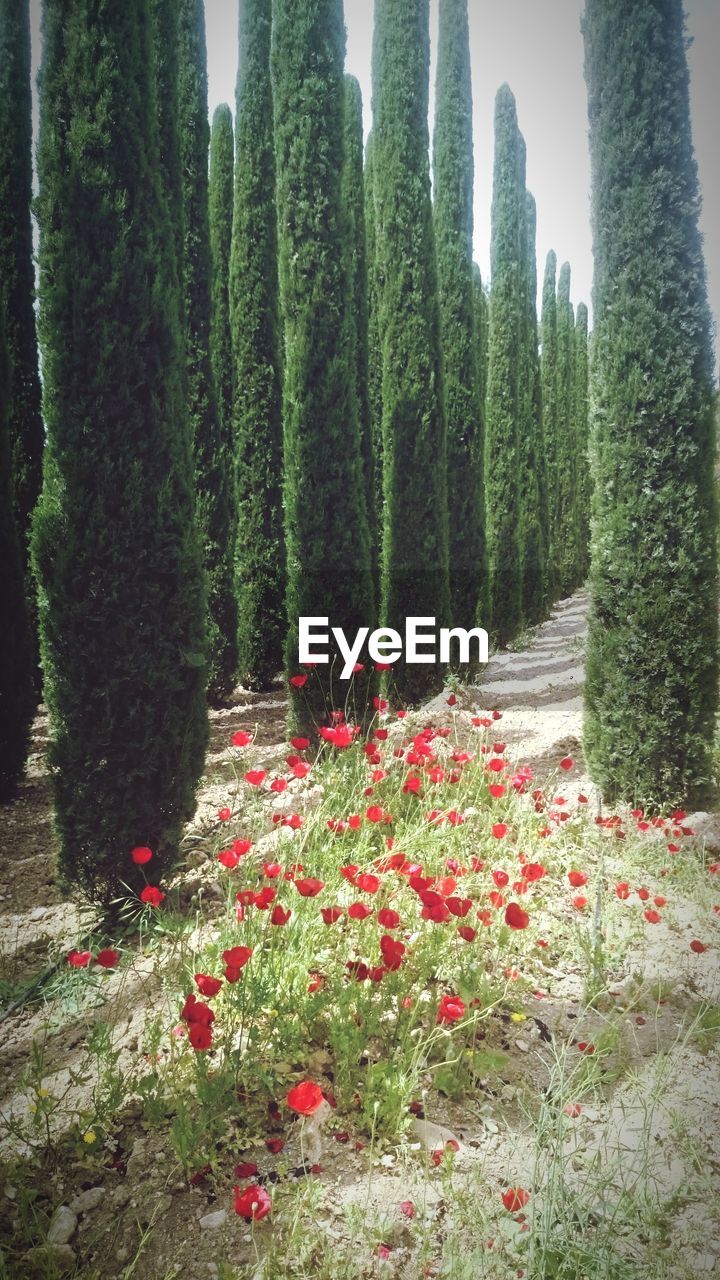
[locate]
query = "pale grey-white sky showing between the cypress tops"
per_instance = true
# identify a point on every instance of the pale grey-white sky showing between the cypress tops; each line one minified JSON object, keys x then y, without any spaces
{"x":536,"y":47}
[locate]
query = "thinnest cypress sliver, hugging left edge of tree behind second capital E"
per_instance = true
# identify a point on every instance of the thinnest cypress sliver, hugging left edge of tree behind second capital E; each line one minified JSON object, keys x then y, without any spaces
{"x":375,"y":369}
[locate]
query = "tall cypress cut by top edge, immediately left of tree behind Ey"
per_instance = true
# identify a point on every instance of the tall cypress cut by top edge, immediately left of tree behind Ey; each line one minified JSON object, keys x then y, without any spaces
{"x":258,"y":429}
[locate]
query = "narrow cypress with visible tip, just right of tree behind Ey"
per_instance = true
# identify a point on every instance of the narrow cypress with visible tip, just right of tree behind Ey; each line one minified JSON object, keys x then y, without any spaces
{"x":354,"y":205}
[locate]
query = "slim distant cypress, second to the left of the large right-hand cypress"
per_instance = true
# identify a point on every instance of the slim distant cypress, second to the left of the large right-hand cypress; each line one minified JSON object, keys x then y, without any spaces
{"x":567,"y":458}
